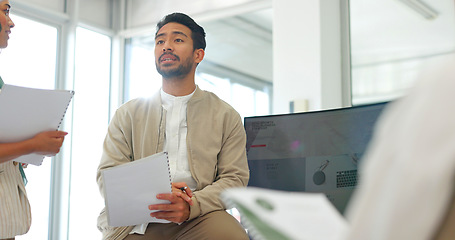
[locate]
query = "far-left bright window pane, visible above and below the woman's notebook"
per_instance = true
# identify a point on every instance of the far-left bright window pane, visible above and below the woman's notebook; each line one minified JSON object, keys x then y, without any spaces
{"x":31,"y":63}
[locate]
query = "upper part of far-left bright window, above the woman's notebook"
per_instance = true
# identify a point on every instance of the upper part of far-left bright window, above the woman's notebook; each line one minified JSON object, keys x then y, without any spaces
{"x":26,"y":62}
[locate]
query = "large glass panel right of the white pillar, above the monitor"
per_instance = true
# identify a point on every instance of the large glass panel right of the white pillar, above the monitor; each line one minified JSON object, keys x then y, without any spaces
{"x":391,"y":41}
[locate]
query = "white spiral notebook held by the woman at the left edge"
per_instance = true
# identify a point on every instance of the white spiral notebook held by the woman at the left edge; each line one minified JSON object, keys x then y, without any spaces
{"x":25,"y":112}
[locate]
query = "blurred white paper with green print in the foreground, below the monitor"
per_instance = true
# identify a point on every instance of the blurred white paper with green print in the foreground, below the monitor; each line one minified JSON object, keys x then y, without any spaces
{"x":288,"y":215}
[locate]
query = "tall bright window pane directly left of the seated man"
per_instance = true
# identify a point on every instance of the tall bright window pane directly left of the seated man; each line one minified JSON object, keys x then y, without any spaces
{"x":90,"y":120}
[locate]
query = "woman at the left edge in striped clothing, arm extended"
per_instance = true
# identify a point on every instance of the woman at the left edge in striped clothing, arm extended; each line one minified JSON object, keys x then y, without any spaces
{"x":15,"y":217}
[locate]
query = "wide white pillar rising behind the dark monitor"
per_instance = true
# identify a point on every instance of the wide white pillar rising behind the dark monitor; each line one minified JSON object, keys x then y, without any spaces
{"x":307,"y":54}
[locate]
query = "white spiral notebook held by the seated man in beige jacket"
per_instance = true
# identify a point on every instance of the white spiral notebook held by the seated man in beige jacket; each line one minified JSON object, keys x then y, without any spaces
{"x":130,"y":188}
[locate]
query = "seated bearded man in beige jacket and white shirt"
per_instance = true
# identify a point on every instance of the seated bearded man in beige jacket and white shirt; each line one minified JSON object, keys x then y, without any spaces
{"x":203,"y":135}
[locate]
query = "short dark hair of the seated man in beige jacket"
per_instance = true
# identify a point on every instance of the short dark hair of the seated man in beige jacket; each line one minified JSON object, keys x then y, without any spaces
{"x":197,"y":32}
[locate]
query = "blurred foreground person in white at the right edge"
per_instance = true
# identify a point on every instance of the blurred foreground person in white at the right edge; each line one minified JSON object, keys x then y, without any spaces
{"x":407,"y":177}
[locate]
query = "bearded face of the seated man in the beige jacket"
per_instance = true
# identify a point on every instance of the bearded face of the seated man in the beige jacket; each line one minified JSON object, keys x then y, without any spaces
{"x":174,"y":54}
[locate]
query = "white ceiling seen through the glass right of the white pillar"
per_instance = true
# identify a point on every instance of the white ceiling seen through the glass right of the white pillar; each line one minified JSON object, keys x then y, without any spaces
{"x":390,"y":30}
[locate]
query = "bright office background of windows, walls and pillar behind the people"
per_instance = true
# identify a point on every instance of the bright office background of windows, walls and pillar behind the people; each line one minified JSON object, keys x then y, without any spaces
{"x":262,"y":55}
